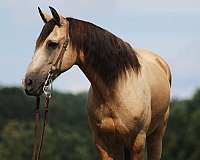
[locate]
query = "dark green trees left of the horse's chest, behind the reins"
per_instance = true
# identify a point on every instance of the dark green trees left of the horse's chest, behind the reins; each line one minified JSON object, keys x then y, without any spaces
{"x":68,"y":136}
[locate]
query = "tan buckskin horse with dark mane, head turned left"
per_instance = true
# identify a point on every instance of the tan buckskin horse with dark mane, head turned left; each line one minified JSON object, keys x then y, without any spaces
{"x":129,"y":96}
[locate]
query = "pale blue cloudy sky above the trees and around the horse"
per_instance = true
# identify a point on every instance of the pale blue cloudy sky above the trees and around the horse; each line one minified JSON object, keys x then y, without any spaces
{"x":170,"y":28}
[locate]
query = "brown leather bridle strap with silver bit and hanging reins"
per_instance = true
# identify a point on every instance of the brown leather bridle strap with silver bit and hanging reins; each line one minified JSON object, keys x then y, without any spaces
{"x":47,"y":89}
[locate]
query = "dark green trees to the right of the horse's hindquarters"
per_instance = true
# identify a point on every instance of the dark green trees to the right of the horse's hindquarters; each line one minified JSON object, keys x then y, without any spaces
{"x":183,"y":133}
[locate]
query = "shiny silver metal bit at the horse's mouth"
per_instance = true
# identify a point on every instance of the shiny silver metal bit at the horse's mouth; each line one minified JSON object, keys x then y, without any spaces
{"x":48,"y":86}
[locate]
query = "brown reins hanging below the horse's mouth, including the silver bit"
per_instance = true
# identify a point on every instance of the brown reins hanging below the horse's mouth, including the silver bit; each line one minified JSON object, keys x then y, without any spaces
{"x":39,"y":136}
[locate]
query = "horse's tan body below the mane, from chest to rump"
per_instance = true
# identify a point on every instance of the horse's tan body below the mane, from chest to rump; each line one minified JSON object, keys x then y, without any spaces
{"x":137,"y":110}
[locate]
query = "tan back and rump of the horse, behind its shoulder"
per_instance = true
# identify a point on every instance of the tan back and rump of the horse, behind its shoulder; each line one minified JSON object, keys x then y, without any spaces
{"x":158,"y":76}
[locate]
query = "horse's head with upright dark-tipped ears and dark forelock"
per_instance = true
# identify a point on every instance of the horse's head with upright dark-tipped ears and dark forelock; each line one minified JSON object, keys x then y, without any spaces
{"x":50,"y":43}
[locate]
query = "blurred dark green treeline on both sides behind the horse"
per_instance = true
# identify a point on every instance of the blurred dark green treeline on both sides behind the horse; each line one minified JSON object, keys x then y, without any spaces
{"x":68,"y":136}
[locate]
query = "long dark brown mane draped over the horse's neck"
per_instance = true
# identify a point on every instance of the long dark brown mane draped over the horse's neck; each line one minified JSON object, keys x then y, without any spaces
{"x":107,"y":54}
